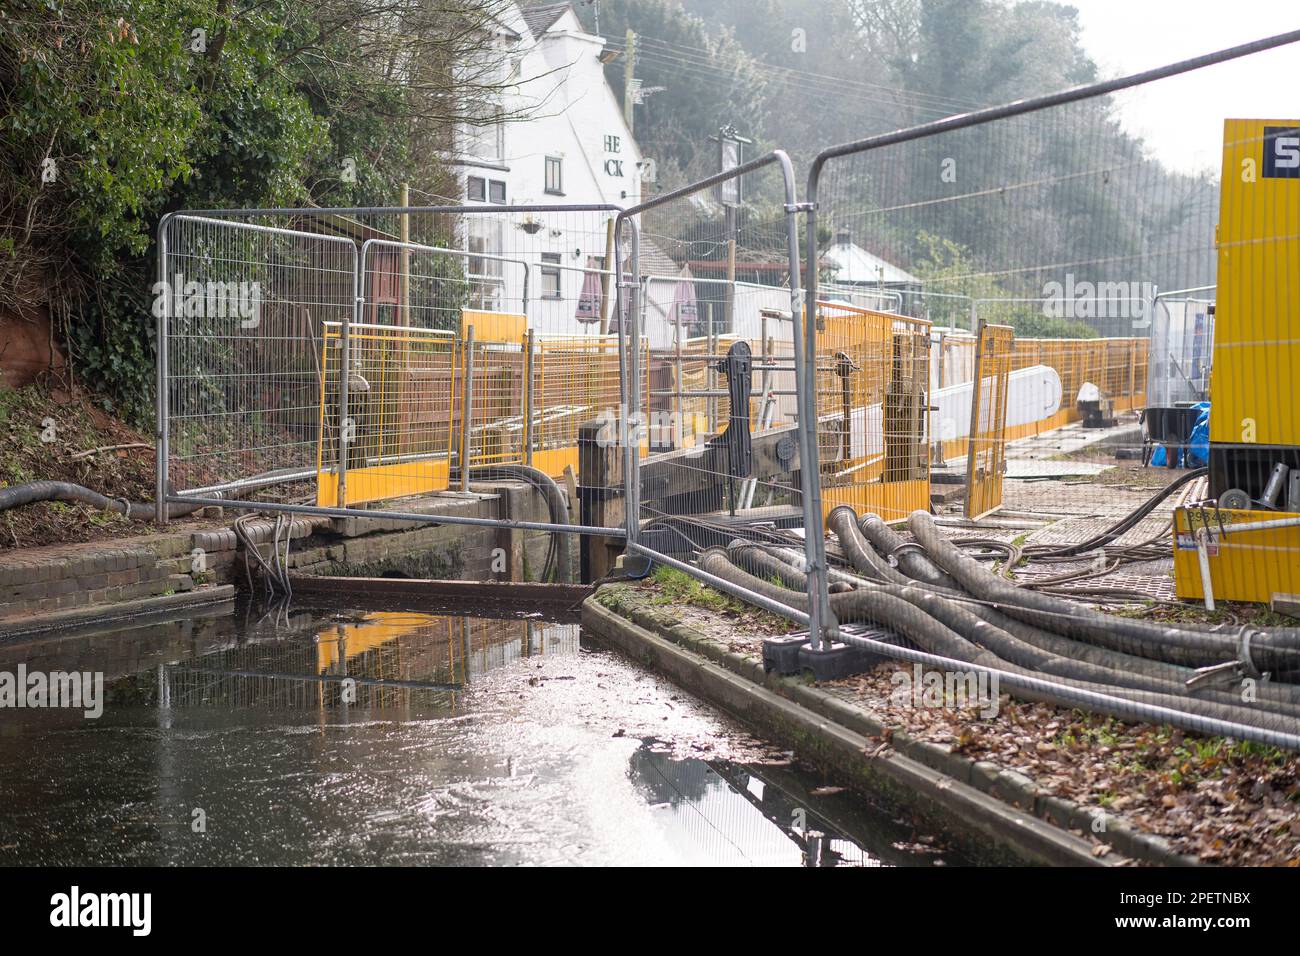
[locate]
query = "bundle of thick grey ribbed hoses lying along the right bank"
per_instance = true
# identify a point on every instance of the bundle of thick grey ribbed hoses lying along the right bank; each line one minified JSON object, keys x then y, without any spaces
{"x":948,"y":605}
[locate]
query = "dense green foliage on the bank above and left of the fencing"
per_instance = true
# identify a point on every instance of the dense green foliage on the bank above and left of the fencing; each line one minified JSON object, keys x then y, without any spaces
{"x":150,"y":106}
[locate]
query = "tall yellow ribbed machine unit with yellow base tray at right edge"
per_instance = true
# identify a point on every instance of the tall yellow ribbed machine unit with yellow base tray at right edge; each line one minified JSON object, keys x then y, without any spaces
{"x":1255,"y":384}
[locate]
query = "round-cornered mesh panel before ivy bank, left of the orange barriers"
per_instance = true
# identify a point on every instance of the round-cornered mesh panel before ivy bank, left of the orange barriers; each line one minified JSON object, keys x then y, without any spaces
{"x":244,"y":308}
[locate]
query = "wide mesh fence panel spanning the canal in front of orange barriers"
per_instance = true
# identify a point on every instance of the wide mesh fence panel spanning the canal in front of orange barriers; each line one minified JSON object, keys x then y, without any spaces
{"x":374,"y":353}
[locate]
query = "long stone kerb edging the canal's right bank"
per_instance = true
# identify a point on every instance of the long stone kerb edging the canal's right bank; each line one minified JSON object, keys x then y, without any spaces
{"x":974,"y":801}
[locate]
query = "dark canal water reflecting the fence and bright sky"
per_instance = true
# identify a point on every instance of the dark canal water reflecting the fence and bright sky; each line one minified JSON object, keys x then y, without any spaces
{"x":324,"y":736}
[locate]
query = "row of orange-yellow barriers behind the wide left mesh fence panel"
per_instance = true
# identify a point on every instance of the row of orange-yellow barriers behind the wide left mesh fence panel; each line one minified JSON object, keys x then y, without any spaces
{"x":406,"y":403}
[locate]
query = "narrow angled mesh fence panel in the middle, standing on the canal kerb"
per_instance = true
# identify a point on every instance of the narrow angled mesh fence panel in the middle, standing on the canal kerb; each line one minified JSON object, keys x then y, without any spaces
{"x":713,"y":287}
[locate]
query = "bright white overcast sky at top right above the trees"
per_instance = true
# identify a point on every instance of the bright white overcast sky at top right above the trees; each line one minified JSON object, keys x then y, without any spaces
{"x":1182,"y":119}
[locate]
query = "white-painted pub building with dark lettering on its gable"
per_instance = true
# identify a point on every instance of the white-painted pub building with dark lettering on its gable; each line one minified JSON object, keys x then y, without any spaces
{"x":561,"y":140}
